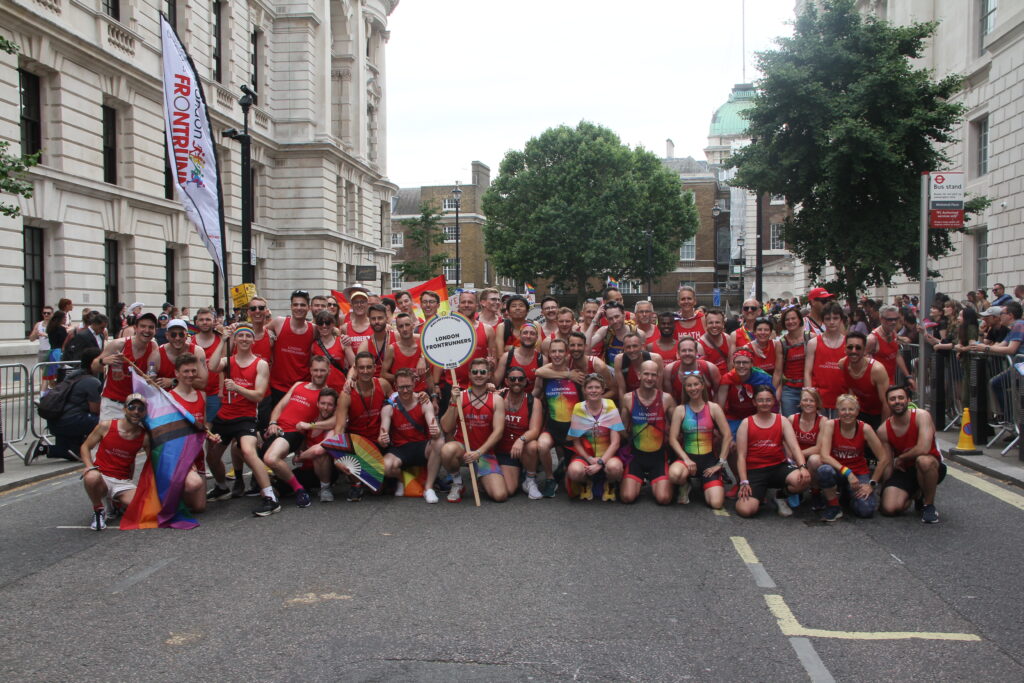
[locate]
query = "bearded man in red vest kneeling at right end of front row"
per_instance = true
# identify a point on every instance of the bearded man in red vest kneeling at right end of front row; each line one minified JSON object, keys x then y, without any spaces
{"x":918,"y":468}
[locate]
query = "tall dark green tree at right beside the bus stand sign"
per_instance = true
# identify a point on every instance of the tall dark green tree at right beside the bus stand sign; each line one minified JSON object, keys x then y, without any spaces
{"x":843,"y":126}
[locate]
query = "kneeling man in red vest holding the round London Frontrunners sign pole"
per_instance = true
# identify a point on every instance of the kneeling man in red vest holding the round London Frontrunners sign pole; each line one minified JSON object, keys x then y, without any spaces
{"x":485,"y":414}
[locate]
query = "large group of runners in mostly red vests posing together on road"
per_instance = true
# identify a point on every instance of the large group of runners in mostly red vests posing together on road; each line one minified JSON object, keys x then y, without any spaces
{"x":785,"y":409}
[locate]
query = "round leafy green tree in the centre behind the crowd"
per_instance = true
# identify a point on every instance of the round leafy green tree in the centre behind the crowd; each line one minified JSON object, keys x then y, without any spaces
{"x":576,"y":203}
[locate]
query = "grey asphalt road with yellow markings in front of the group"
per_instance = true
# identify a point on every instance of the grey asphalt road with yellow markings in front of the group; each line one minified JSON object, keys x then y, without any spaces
{"x":395,"y":590}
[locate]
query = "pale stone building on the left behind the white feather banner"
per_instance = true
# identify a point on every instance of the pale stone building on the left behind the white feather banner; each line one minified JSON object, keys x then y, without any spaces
{"x":103,"y":226}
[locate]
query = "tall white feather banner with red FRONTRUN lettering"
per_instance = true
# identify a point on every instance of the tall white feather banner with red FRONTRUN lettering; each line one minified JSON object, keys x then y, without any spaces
{"x":190,"y":144}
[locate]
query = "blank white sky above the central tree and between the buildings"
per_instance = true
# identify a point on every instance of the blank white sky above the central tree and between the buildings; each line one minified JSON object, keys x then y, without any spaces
{"x":473,"y":79}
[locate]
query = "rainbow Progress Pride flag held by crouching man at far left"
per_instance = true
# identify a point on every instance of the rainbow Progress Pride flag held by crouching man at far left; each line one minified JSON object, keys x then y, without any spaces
{"x":176,"y":443}
